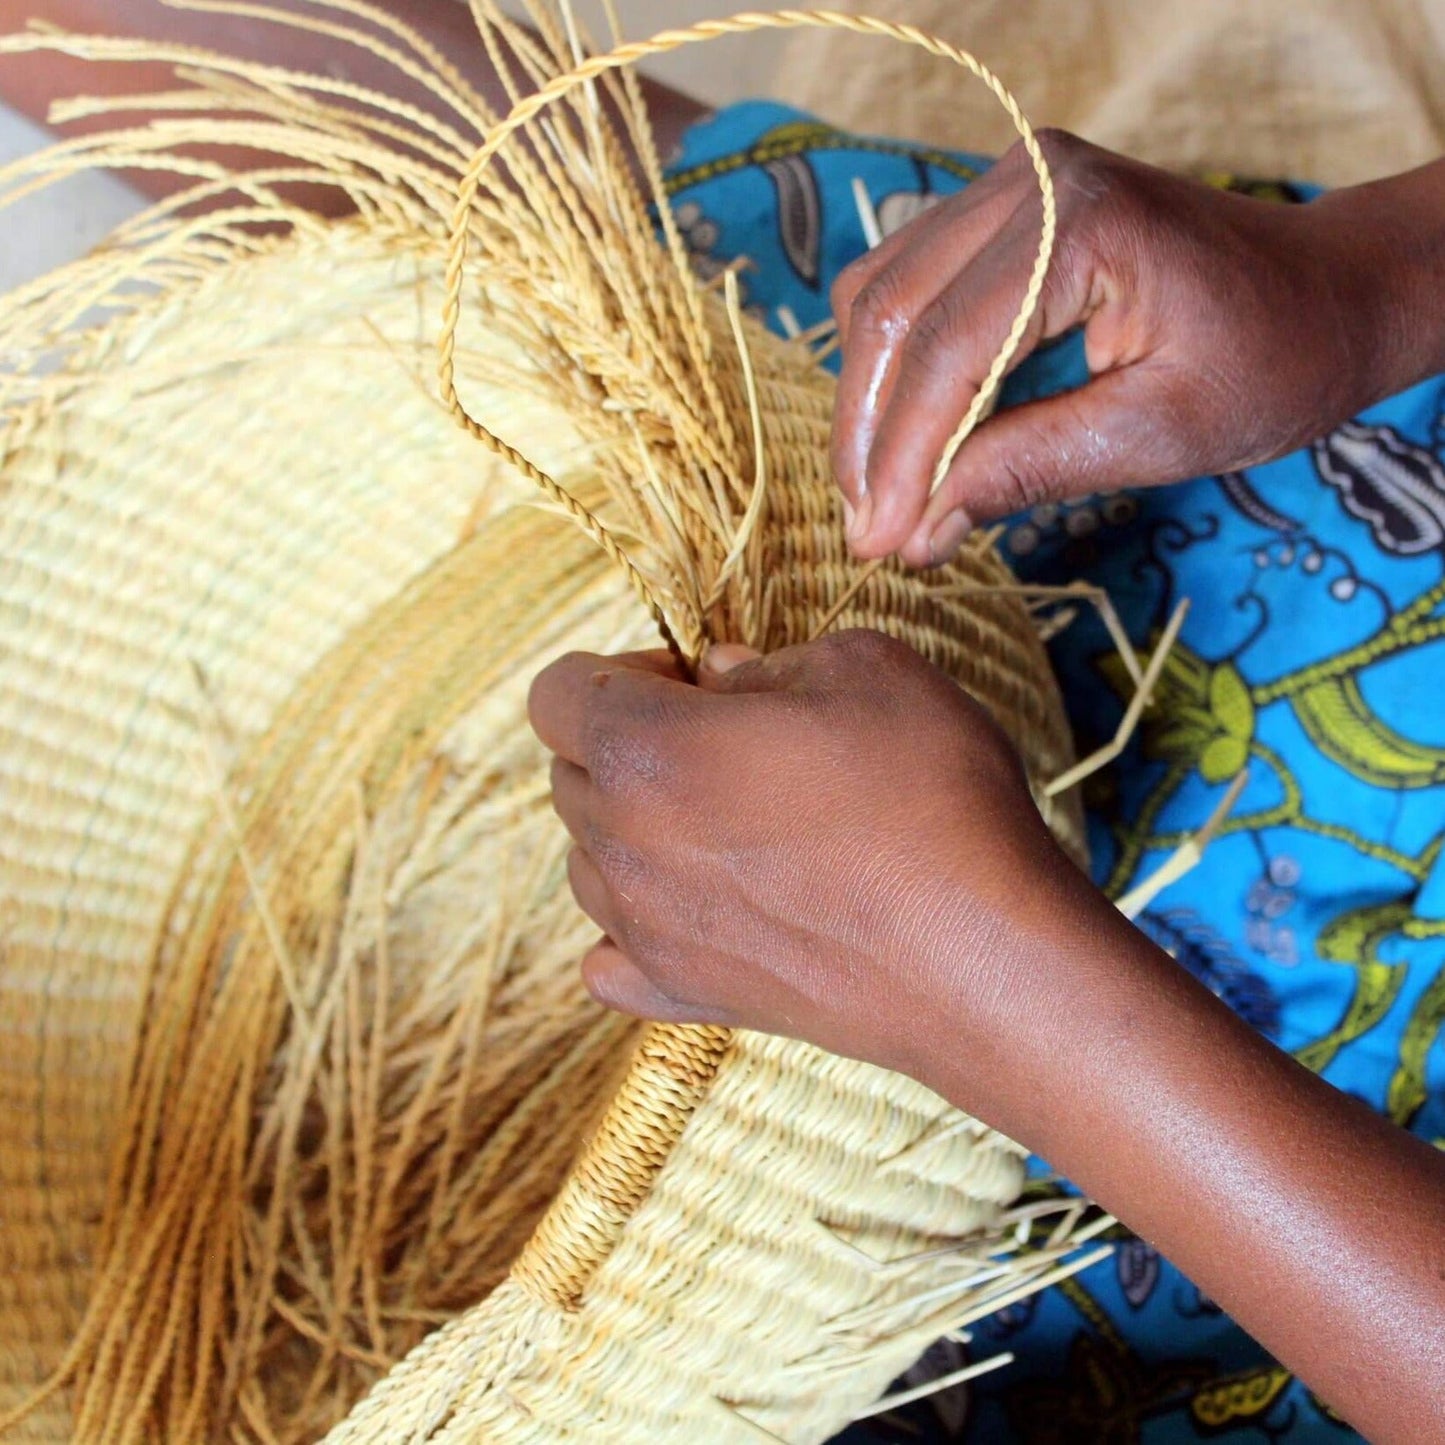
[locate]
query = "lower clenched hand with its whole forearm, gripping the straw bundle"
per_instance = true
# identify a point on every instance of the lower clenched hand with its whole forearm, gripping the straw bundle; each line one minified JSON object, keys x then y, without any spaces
{"x":836,"y":845}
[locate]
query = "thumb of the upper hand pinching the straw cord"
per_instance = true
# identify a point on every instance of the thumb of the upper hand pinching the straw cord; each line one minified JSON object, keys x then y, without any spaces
{"x":1116,"y":431}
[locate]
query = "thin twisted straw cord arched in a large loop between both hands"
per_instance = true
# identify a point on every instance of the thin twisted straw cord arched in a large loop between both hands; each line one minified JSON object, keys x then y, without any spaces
{"x":661,"y":44}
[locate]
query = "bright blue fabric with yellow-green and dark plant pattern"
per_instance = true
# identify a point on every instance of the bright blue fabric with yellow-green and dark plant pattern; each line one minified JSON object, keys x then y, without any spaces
{"x":1313,"y":655}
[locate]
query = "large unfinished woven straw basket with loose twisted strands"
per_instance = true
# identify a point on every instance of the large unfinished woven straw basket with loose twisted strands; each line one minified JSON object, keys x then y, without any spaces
{"x":297,"y":1066}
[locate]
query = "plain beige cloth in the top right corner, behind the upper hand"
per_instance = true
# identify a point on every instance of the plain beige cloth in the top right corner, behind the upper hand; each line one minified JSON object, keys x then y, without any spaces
{"x":1321,"y":90}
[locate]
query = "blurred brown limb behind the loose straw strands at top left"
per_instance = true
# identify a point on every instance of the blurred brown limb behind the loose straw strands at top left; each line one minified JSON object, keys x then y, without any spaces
{"x":34,"y":85}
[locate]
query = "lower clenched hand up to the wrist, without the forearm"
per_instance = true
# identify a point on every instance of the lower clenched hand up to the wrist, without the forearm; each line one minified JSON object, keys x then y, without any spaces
{"x":833,"y":843}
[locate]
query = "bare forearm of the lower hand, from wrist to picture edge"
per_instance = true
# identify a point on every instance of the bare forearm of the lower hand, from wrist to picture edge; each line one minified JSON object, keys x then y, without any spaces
{"x":1313,"y":1222}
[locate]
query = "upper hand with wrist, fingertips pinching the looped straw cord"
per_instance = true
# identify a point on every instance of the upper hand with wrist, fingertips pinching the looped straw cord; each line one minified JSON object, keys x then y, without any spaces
{"x":1220,"y":333}
